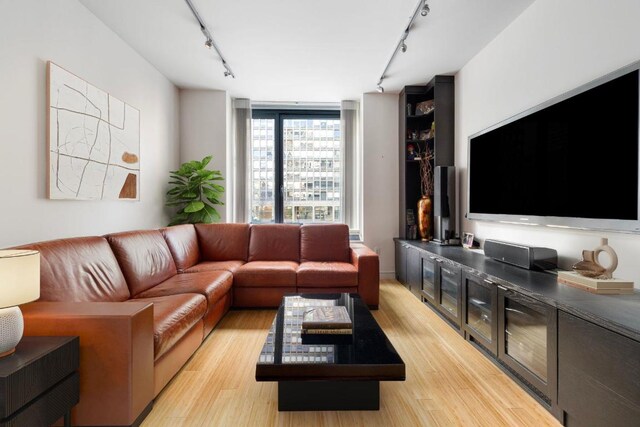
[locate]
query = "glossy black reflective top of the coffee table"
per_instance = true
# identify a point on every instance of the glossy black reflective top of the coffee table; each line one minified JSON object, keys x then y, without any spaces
{"x":365,"y":355}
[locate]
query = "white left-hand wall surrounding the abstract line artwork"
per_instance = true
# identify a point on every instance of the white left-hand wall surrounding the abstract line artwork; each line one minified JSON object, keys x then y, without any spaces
{"x":65,"y":32}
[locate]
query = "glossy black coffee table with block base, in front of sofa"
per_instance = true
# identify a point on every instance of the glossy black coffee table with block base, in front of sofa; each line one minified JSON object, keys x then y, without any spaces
{"x":327,"y":373}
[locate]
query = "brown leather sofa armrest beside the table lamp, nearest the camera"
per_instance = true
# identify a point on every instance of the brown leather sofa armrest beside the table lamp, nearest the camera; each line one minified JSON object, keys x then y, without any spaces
{"x":116,"y":355}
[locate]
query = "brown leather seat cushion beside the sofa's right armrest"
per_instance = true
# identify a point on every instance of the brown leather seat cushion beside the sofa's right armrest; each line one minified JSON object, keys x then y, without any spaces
{"x":327,"y":274}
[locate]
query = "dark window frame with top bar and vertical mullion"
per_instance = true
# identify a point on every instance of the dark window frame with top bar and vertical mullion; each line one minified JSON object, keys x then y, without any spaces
{"x":279,"y":116}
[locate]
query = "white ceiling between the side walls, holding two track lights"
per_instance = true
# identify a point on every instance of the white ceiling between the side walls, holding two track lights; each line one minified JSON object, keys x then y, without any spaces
{"x":304,"y":50}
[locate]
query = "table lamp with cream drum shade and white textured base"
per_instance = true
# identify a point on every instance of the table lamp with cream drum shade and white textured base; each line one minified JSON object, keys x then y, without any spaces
{"x":19,"y":284}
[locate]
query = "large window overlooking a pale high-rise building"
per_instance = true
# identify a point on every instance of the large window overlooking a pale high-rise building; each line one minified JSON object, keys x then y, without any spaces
{"x":296,"y":166}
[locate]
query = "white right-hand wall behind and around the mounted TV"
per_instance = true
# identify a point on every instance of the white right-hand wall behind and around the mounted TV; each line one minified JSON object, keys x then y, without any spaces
{"x":552,"y":47}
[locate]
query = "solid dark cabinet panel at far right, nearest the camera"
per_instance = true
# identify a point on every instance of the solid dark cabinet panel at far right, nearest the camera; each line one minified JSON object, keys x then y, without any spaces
{"x":598,"y":375}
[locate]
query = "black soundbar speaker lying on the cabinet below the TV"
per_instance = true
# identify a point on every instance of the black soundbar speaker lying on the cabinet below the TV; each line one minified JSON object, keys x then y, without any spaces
{"x":529,"y":257}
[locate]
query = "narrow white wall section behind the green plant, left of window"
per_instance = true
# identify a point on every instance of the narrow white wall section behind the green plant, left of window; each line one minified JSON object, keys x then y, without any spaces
{"x":203,"y":132}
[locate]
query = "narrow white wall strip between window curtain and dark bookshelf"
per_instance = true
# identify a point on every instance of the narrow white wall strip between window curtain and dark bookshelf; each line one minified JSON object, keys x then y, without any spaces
{"x":380,"y":176}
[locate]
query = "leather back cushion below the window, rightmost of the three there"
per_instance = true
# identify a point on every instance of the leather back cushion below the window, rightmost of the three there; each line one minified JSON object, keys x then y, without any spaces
{"x":324,"y":242}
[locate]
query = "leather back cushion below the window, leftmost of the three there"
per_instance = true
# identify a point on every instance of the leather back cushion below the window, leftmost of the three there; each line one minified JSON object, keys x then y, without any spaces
{"x":222,"y":242}
